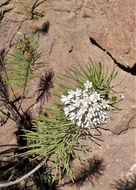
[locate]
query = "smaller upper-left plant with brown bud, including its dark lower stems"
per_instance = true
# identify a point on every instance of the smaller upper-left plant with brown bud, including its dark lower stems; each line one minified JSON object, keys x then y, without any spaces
{"x":17,"y":71}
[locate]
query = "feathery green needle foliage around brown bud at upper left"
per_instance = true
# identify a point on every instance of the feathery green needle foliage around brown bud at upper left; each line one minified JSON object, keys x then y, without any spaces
{"x":23,"y":60}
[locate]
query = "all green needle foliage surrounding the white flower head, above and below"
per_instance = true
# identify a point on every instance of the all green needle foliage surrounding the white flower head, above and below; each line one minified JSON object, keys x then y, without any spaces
{"x":55,"y":136}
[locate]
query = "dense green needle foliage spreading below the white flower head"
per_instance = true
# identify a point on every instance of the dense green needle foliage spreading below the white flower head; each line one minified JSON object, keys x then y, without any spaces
{"x":59,"y":139}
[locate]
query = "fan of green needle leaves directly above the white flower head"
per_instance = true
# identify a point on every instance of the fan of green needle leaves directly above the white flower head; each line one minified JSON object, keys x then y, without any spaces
{"x":98,"y":74}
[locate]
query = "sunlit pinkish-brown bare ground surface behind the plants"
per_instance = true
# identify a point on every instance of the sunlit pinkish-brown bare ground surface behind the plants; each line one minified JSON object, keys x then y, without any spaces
{"x":103,"y":30}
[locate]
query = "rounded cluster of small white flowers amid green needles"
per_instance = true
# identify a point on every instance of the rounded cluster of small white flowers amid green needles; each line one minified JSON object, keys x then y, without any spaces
{"x":85,"y":108}
